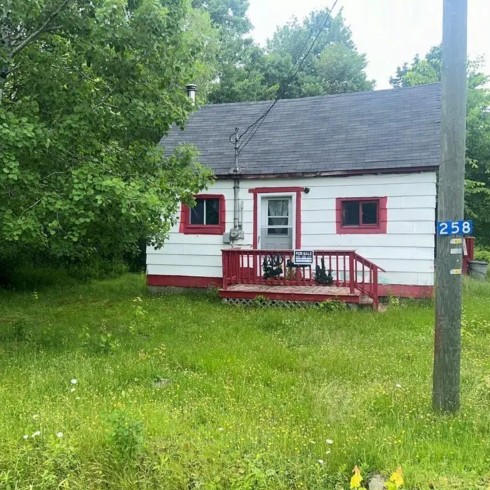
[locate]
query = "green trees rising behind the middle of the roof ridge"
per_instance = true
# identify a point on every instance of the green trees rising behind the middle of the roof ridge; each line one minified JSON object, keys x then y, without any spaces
{"x":248,"y":72}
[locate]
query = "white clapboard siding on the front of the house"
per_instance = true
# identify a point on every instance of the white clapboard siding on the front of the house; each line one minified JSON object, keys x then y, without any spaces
{"x":406,"y":251}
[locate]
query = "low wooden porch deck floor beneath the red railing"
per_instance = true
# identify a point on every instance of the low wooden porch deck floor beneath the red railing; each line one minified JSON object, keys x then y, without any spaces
{"x":294,"y":293}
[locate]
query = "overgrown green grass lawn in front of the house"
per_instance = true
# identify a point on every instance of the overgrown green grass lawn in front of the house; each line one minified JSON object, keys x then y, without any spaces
{"x":103,"y":386}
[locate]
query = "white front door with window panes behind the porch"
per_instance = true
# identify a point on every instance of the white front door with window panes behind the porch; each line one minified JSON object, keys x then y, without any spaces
{"x":276,"y":230}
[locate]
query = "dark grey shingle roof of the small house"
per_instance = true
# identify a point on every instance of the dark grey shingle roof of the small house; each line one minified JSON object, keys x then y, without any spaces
{"x":366,"y":131}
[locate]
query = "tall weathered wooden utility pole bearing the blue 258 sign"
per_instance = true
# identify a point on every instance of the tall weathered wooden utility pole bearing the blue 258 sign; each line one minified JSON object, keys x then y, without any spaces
{"x":447,"y":344}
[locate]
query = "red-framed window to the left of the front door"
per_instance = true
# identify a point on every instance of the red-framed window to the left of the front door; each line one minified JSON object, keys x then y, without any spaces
{"x":206,"y":217}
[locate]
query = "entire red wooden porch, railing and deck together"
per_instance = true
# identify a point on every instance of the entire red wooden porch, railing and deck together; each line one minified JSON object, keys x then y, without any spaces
{"x":333,"y":275}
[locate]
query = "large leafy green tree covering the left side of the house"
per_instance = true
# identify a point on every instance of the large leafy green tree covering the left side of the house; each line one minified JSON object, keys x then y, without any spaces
{"x":87,"y":90}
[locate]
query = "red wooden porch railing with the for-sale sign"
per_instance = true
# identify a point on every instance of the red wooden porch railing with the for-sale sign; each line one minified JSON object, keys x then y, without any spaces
{"x":341,"y":268}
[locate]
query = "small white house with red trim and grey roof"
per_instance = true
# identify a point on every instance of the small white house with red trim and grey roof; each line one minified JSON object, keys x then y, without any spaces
{"x":349,"y":181}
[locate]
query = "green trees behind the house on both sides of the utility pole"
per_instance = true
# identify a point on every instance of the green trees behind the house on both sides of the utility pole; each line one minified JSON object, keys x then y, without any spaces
{"x":477,"y":185}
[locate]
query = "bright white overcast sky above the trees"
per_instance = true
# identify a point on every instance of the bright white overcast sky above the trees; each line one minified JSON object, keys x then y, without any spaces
{"x":390,"y":32}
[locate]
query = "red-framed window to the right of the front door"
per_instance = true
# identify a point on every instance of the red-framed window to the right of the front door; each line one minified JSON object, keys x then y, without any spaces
{"x":361,"y":215}
